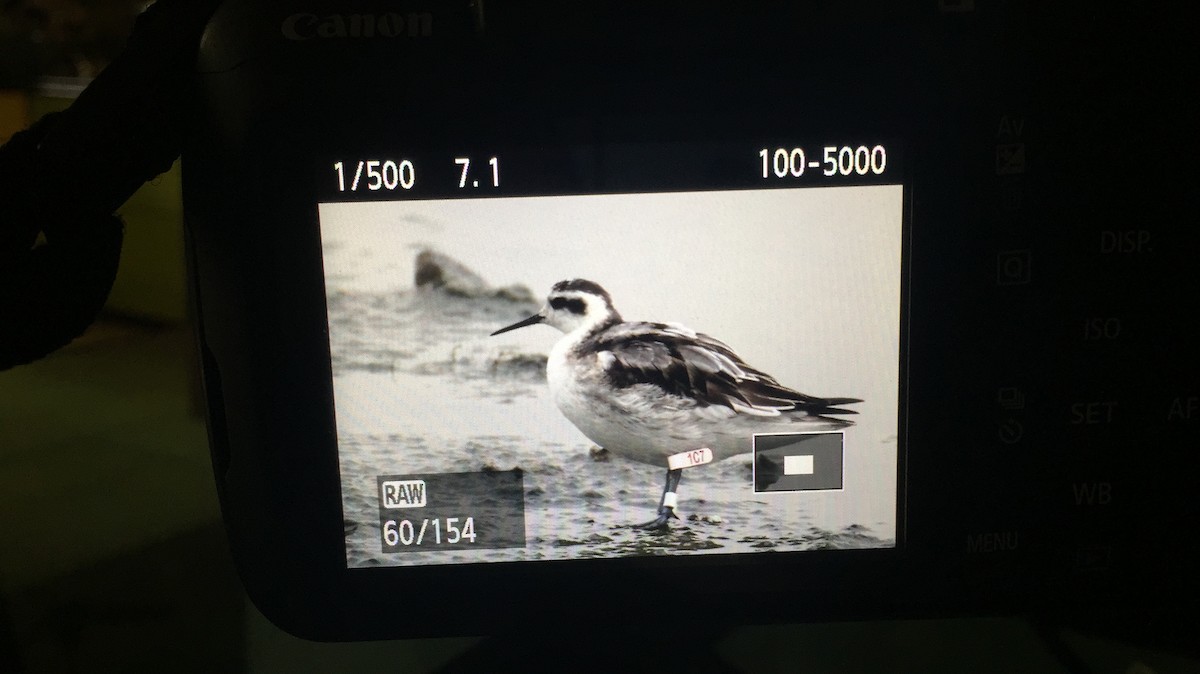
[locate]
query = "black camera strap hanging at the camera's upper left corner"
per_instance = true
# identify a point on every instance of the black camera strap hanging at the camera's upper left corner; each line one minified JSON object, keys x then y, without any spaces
{"x":63,"y":179}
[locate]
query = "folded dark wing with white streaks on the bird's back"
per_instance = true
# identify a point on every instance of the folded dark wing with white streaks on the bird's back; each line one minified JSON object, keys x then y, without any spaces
{"x":692,"y":365}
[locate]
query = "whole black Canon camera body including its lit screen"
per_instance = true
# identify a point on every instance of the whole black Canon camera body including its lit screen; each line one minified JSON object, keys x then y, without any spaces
{"x":863,"y":201}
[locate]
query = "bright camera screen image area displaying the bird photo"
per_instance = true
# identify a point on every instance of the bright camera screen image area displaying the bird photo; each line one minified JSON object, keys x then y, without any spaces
{"x":688,"y":372}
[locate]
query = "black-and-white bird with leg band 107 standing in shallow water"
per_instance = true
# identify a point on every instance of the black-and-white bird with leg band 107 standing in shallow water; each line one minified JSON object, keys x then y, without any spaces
{"x":649,"y":392}
